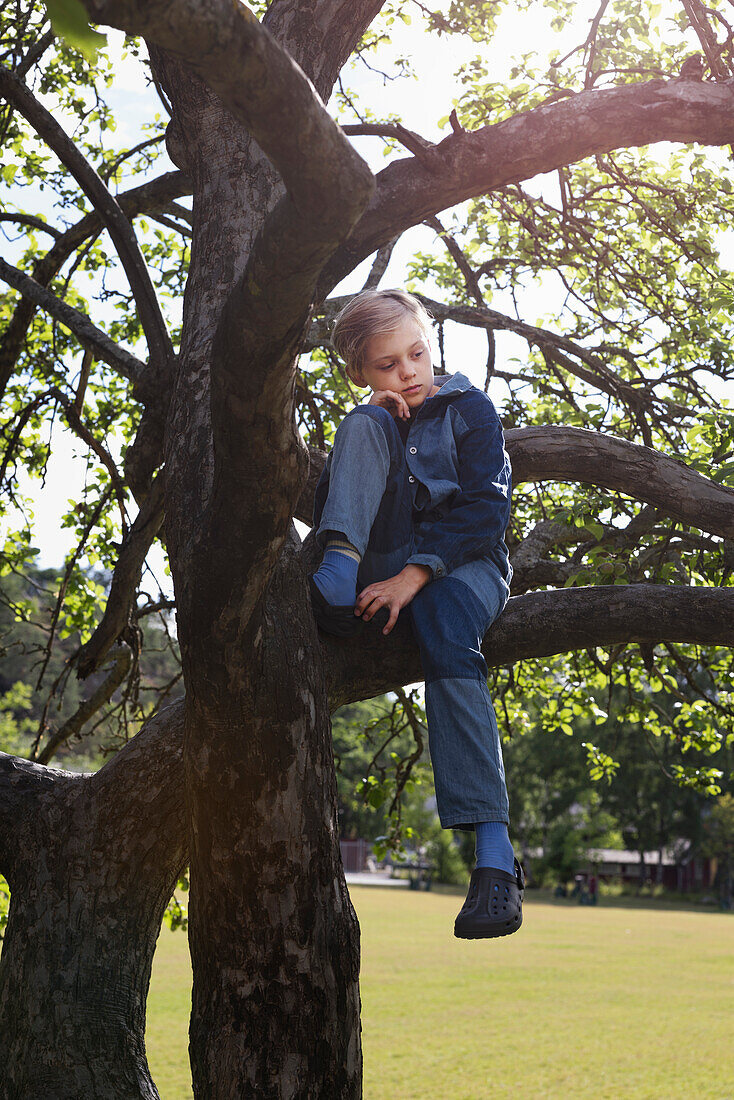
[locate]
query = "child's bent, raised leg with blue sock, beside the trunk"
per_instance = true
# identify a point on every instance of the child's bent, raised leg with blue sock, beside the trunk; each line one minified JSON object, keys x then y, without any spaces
{"x":364,"y":507}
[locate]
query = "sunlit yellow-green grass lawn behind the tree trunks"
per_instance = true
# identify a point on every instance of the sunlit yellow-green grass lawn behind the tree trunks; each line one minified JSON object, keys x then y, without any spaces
{"x":618,"y":1003}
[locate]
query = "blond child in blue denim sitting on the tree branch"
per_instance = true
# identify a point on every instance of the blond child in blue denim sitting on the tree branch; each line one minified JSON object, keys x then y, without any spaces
{"x":412,"y":511}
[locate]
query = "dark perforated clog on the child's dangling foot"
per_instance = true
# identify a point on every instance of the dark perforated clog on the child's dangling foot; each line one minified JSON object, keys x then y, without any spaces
{"x":494,"y":906}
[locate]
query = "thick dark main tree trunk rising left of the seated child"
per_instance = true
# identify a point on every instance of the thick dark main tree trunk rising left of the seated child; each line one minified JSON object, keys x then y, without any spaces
{"x":273,"y":936}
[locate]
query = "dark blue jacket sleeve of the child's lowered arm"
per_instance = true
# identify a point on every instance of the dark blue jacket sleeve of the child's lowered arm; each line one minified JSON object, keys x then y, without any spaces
{"x":474,"y":521}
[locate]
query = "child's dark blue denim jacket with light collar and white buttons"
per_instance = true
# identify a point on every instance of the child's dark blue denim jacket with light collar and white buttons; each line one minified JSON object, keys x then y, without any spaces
{"x":463,"y":485}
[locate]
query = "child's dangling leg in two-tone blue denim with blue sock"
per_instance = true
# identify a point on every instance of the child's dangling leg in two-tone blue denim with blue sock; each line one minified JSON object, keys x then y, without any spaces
{"x":451,"y":618}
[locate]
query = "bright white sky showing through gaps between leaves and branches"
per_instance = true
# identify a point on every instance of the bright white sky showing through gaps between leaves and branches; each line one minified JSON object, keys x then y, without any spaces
{"x":422,"y":103}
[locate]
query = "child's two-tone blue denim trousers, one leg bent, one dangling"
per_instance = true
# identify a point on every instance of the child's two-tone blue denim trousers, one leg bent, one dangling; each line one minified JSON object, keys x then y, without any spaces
{"x":366,"y":493}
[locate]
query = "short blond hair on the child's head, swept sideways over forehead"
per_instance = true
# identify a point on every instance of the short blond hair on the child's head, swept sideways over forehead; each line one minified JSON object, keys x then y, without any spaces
{"x":369,"y":314}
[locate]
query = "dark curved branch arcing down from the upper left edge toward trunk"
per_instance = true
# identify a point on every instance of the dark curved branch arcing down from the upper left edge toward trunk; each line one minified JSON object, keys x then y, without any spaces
{"x":118,"y":226}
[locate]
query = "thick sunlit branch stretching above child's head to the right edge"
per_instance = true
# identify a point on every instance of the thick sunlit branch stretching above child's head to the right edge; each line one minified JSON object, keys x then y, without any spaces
{"x":538,"y":141}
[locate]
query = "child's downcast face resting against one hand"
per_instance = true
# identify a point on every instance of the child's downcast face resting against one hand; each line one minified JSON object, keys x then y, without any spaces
{"x":400,"y":361}
